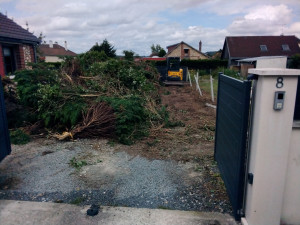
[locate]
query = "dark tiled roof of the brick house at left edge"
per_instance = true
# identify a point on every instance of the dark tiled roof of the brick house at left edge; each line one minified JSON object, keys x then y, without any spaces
{"x":10,"y":29}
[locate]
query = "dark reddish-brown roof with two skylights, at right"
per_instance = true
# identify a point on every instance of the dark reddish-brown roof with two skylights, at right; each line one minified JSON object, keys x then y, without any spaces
{"x":249,"y":46}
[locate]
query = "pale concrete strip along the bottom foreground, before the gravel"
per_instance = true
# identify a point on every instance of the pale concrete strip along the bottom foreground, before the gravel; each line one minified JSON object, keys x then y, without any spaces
{"x":45,"y":213}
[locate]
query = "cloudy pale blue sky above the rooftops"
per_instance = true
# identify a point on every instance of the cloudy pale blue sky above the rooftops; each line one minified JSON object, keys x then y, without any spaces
{"x":137,"y":24}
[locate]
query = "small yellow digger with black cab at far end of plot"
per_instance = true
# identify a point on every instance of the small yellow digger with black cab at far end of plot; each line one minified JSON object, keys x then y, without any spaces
{"x":175,"y":73}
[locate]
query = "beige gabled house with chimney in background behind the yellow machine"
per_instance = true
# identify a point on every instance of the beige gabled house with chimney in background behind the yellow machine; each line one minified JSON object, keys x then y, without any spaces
{"x":185,"y":51}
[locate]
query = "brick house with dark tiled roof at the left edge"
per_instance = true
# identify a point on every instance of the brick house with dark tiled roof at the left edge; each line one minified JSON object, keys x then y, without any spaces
{"x":17,"y":46}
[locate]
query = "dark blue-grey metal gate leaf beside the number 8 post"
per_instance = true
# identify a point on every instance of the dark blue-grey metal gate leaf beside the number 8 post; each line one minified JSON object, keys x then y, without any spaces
{"x":231,"y":137}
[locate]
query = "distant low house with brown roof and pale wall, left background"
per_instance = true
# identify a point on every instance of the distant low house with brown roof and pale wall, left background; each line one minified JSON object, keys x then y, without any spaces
{"x":54,"y":52}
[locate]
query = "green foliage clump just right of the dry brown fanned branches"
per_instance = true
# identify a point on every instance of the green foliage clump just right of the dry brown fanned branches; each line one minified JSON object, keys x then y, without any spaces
{"x":131,"y":117}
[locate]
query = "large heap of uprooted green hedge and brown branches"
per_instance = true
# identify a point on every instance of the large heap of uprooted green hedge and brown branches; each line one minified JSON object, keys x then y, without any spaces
{"x":72,"y":97}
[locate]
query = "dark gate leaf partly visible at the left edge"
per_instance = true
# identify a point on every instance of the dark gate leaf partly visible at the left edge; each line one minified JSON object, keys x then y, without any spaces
{"x":4,"y":136}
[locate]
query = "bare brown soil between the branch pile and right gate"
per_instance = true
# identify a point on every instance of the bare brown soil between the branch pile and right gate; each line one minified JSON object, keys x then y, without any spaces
{"x":192,"y":138}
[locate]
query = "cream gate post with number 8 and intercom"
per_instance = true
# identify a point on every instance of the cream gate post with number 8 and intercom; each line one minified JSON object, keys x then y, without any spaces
{"x":272,"y":141}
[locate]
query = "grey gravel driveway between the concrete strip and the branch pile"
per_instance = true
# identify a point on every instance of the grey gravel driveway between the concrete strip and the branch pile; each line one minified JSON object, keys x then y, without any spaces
{"x":41,"y":171}
